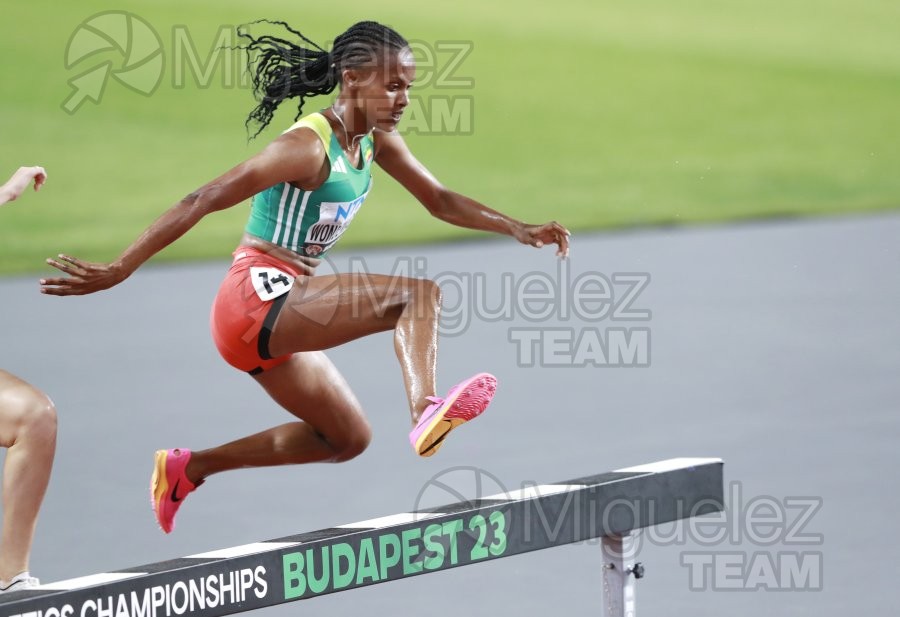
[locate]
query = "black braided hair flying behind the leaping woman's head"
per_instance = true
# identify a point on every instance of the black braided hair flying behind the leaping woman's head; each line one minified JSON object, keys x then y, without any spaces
{"x":281,"y":69}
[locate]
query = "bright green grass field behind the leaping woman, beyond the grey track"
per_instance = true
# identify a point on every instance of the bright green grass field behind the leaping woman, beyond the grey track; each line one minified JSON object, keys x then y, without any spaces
{"x":592,"y":112}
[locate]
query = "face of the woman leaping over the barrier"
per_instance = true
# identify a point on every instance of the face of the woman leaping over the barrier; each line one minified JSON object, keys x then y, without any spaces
{"x":382,"y":93}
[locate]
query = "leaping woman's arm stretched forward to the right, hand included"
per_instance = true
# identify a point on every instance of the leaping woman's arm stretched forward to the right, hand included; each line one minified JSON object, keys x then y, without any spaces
{"x":394,"y":156}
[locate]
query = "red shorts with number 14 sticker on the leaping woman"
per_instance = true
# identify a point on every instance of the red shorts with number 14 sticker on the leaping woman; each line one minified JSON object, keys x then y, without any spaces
{"x":246,"y":307}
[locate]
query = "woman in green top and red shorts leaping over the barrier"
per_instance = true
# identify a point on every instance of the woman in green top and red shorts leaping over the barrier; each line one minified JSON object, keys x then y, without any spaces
{"x":272,"y":317}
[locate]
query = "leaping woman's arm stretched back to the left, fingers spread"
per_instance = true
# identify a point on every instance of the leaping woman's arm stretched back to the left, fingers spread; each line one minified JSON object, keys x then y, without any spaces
{"x":297,"y":157}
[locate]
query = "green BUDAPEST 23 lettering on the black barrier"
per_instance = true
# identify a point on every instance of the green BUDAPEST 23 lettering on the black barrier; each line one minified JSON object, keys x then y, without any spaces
{"x":388,"y":556}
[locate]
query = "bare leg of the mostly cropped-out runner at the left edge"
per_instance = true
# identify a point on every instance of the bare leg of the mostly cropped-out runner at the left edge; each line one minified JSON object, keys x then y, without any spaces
{"x":28,"y":430}
